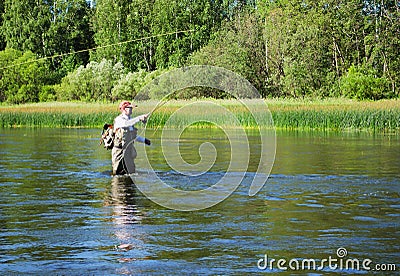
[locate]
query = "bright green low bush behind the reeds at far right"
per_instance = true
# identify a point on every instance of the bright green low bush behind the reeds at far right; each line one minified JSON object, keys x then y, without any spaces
{"x":362,"y":83}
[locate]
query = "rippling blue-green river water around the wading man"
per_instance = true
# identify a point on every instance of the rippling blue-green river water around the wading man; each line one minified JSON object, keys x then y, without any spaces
{"x":330,"y":196}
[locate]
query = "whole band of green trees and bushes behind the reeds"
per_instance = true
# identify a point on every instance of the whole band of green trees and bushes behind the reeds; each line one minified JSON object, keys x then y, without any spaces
{"x":109,"y":49}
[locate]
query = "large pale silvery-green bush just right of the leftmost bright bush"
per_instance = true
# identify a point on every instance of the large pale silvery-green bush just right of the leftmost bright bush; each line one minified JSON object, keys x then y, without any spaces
{"x":91,"y":83}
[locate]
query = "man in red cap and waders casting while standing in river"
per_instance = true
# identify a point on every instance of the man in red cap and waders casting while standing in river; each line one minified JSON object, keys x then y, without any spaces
{"x":124,"y":152}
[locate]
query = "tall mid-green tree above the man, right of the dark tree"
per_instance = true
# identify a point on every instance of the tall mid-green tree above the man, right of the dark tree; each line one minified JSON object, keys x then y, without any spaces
{"x":123,"y":33}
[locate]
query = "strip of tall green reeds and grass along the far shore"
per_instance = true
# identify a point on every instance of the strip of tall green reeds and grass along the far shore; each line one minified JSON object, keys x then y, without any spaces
{"x":331,"y":114}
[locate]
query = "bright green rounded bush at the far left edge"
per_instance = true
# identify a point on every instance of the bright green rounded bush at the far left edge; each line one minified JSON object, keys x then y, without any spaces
{"x":21,"y":77}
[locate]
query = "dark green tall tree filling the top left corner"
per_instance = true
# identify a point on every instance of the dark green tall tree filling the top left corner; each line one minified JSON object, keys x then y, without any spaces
{"x":48,"y":28}
